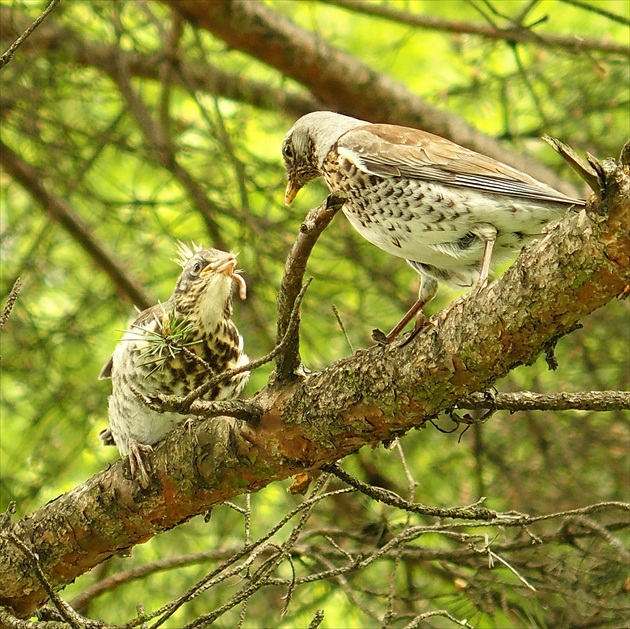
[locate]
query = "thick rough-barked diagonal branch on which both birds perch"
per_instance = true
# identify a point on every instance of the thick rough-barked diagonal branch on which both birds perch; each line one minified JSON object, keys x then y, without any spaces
{"x":306,"y":423}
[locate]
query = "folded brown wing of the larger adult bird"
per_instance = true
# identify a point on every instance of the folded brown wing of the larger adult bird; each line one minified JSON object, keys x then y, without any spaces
{"x":390,"y":150}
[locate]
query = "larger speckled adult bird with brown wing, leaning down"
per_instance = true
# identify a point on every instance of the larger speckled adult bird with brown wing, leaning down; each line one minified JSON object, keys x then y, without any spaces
{"x":447,"y":210}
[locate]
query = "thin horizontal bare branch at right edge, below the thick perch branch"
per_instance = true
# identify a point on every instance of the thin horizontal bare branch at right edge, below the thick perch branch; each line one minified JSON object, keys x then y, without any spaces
{"x":528,"y":401}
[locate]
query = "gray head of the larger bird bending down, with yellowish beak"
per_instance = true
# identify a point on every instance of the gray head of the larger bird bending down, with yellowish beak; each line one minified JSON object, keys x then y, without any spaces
{"x":308,"y":142}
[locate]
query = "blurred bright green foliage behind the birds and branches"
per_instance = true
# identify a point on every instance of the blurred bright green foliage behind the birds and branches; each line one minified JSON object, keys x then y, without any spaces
{"x":69,"y":120}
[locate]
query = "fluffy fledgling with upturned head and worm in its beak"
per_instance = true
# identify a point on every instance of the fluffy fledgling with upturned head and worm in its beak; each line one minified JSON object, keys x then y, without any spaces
{"x":172,"y":348}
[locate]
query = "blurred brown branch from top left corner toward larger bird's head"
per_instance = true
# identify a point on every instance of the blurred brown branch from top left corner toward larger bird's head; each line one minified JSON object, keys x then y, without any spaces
{"x":202,"y":76}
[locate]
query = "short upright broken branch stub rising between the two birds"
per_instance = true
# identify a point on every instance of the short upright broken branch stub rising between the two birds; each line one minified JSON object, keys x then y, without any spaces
{"x":288,"y":361}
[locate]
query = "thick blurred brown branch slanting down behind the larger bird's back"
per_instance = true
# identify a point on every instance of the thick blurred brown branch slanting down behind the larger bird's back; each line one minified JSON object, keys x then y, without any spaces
{"x":339,"y":80}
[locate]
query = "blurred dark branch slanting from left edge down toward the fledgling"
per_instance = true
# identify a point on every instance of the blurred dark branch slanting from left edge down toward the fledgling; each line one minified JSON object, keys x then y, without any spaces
{"x":60,"y":210}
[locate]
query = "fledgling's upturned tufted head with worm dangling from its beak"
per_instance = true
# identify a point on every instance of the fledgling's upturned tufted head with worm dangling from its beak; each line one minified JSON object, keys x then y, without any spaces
{"x":204,"y":288}
